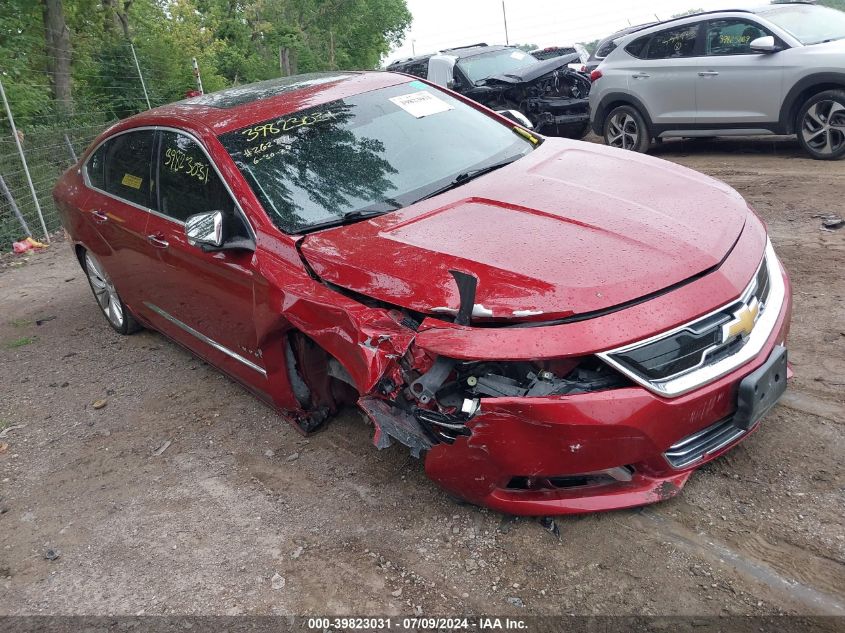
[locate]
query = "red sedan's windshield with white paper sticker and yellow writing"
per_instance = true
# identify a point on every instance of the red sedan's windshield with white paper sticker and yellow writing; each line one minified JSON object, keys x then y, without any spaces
{"x":374,"y":152}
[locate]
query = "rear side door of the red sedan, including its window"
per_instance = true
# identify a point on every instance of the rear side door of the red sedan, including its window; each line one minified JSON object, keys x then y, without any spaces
{"x":118,"y":174}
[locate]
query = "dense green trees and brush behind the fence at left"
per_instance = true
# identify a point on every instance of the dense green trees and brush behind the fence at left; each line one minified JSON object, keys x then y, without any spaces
{"x":68,"y":68}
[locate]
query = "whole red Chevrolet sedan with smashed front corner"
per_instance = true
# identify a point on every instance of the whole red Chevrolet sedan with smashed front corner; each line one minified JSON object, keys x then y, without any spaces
{"x":547,"y":346}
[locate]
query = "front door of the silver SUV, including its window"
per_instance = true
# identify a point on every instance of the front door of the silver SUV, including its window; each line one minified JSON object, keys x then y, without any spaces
{"x":735,"y":85}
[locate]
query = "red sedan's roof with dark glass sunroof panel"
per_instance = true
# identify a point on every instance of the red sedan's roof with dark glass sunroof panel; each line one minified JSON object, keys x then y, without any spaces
{"x":237,"y":107}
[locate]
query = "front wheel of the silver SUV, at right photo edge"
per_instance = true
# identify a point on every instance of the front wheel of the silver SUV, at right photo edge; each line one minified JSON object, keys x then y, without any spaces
{"x":821,"y":125}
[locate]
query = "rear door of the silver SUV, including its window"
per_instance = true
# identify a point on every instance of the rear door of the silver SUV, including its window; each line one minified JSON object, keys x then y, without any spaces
{"x":664,"y":73}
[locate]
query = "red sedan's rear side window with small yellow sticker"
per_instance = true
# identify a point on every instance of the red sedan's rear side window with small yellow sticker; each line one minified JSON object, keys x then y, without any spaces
{"x":121,"y":167}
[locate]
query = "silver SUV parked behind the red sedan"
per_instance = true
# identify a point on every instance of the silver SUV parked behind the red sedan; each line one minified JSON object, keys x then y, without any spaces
{"x":779,"y":69}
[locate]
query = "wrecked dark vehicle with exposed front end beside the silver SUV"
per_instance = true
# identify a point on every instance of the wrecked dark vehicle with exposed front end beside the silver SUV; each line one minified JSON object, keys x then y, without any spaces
{"x":552,"y":96}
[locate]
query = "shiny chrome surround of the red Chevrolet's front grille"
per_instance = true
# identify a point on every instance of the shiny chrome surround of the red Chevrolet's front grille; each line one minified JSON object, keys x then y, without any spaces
{"x":703,"y":374}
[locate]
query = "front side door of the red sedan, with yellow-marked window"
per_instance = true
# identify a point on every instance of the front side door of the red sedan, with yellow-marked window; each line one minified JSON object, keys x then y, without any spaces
{"x":203,"y":299}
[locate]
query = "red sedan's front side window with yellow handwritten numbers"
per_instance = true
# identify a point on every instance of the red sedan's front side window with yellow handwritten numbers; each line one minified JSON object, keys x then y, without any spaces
{"x":188,"y":184}
